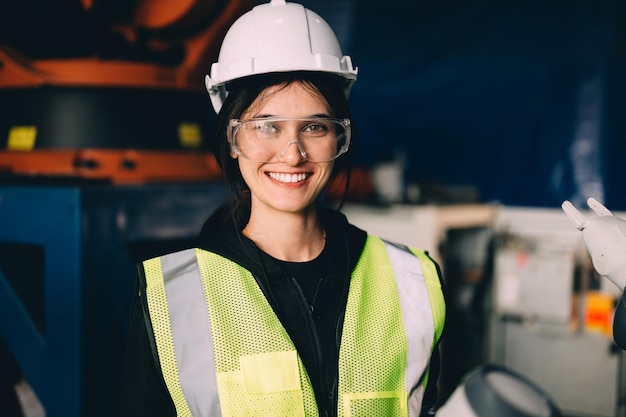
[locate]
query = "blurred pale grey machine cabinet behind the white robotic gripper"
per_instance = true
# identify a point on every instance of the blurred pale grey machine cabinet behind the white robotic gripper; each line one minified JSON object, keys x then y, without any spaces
{"x":550,"y":314}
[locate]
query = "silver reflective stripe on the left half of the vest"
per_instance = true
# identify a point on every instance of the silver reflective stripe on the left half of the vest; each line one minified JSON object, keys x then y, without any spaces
{"x":191,"y":331}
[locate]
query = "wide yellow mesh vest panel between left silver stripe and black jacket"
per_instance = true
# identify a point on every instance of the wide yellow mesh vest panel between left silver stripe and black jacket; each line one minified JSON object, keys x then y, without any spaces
{"x":247,"y":337}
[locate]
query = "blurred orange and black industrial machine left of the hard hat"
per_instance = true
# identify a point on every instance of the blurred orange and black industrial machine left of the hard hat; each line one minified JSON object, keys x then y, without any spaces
{"x":109,"y":90}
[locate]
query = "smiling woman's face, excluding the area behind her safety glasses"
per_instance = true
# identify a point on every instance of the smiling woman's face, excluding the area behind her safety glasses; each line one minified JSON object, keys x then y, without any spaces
{"x":289,"y":183}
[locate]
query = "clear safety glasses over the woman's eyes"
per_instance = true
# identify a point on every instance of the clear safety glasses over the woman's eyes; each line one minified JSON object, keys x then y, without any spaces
{"x":318,"y":139}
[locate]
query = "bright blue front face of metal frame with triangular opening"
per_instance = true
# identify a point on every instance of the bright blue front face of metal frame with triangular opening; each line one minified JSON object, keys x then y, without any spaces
{"x":51,"y":362}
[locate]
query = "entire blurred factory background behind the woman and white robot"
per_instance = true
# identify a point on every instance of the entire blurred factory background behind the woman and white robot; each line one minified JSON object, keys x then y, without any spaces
{"x":475,"y":120}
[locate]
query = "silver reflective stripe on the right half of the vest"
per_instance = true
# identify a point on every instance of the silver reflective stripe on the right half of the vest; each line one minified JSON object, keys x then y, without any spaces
{"x":417,"y":316}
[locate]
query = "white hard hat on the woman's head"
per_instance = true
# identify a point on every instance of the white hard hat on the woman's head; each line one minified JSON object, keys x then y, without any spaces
{"x":277,"y":37}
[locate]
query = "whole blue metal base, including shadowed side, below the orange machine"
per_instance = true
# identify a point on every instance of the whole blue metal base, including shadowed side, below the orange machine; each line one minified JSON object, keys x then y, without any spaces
{"x":89,"y":280}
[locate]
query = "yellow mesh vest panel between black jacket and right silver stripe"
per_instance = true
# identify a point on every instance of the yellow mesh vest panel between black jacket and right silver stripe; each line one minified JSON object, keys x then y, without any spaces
{"x":373,"y":351}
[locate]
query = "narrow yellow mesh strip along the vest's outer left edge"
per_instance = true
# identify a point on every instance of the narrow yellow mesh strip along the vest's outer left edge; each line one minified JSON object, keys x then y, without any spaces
{"x":159,"y":315}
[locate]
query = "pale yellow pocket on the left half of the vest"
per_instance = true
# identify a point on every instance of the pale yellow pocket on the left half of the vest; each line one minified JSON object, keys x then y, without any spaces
{"x":266,"y":384}
